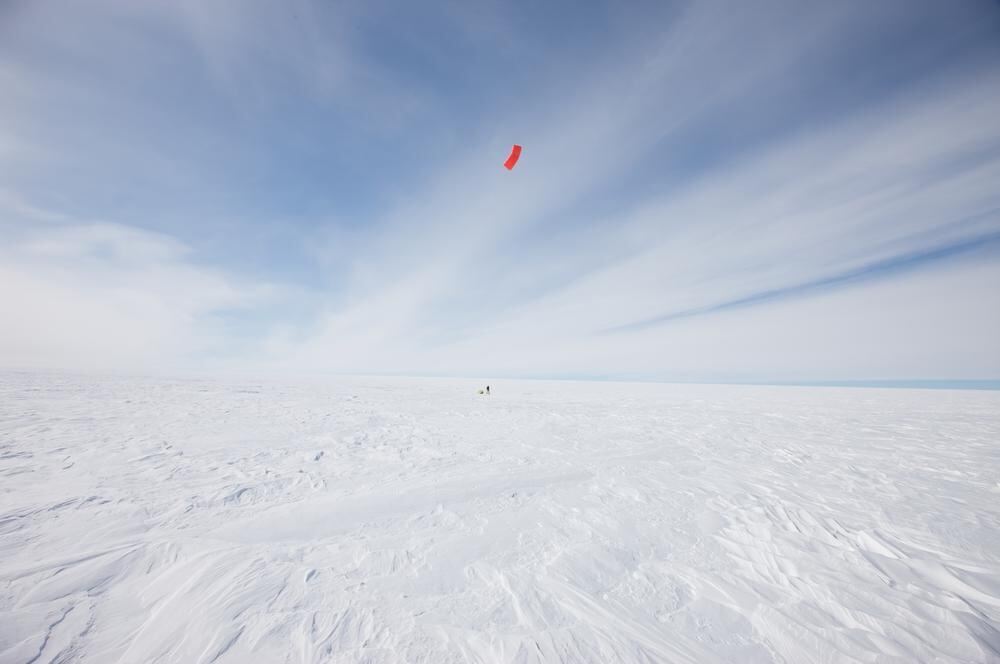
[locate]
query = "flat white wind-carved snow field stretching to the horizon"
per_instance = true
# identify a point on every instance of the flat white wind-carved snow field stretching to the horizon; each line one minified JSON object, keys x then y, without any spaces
{"x":397,"y":520}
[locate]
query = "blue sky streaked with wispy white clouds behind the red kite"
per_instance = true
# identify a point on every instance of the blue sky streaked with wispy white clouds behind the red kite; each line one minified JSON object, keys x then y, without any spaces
{"x":709,"y":191}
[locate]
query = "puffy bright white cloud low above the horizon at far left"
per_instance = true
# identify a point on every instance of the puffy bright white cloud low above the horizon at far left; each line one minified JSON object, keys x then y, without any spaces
{"x":110,"y":297}
